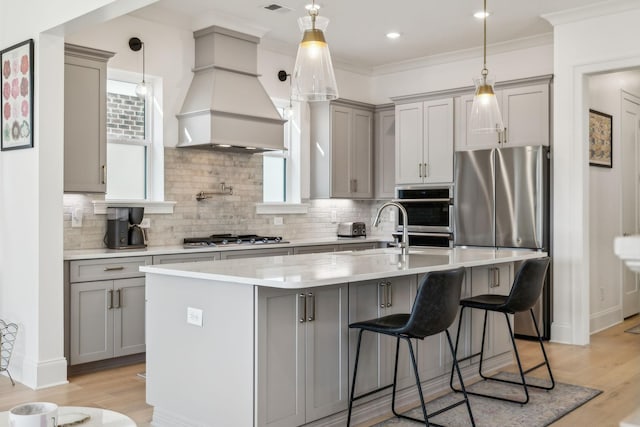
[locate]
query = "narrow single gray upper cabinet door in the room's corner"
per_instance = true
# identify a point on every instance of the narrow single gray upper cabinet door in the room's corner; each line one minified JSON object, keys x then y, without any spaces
{"x":384,"y":152}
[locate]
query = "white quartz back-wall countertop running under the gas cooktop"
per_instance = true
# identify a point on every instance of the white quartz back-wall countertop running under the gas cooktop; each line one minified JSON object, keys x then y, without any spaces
{"x":80,"y":254}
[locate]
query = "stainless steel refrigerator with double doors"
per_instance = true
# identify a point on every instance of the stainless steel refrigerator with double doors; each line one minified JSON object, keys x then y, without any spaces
{"x":501,"y":199}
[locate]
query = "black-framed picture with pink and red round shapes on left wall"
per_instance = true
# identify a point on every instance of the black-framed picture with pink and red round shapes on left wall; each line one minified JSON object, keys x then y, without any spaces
{"x":16,"y":120}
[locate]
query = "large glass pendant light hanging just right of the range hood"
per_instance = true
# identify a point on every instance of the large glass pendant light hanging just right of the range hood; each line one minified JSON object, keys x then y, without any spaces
{"x":313,"y":75}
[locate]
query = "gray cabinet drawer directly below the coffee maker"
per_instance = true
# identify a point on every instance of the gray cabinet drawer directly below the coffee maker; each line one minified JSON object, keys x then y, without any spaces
{"x":105,"y":269}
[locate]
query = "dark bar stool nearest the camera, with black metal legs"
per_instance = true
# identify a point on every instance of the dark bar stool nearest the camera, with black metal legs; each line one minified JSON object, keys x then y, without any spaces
{"x":434,"y":310}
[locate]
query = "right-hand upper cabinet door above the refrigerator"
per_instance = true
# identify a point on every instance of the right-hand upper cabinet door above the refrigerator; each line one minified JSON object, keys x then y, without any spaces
{"x":525,"y":111}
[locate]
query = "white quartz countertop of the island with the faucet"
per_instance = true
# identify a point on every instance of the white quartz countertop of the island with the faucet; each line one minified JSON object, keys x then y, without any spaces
{"x":309,"y":270}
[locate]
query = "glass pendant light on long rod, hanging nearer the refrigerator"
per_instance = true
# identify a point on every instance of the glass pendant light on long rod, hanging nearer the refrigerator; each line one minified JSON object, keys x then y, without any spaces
{"x":485,"y":112}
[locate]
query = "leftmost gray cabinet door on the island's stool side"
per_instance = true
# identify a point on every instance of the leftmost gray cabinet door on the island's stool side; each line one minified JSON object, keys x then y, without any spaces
{"x":281,"y":357}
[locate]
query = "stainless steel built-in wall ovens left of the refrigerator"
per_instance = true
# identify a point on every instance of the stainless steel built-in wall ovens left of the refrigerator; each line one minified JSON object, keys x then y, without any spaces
{"x":429,"y":215}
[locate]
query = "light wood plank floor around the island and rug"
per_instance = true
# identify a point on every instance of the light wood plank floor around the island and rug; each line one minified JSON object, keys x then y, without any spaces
{"x":611,"y":363}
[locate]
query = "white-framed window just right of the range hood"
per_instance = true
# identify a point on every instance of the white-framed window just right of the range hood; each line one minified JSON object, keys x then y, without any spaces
{"x":281,"y":169}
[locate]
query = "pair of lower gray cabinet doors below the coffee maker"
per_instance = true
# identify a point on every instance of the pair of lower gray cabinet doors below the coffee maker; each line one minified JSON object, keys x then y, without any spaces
{"x":107,"y":319}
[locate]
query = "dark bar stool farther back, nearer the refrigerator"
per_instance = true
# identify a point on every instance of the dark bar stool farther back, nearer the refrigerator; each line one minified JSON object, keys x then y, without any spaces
{"x":526,"y":289}
